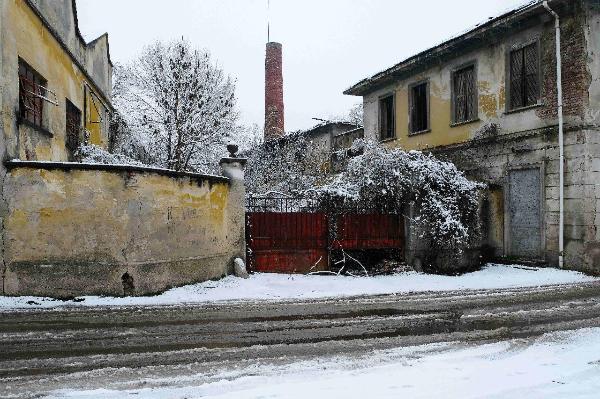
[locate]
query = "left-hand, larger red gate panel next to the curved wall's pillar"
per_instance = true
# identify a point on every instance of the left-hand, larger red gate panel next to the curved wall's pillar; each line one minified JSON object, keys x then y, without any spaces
{"x":287,"y":242}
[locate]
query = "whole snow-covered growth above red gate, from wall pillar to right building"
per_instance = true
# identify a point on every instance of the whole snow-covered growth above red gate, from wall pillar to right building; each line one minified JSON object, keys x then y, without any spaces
{"x":440,"y":202}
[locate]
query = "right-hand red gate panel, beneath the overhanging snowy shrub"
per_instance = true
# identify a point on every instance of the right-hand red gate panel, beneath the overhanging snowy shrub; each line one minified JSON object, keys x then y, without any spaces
{"x":369,"y":231}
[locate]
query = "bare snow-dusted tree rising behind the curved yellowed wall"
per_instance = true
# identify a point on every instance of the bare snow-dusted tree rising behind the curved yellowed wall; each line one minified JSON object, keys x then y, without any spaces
{"x":178,"y":105}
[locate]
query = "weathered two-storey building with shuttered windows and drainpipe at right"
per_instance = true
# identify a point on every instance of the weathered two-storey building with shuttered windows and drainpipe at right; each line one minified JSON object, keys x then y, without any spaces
{"x":487,"y":101}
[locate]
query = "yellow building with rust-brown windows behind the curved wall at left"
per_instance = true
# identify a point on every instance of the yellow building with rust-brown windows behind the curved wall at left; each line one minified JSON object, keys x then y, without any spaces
{"x":56,"y":88}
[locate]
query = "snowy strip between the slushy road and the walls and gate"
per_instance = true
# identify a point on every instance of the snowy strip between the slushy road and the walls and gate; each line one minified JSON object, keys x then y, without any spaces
{"x":283,"y":287}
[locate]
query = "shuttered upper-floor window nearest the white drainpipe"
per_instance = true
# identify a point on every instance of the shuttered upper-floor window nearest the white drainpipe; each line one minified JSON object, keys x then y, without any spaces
{"x":524,"y":77}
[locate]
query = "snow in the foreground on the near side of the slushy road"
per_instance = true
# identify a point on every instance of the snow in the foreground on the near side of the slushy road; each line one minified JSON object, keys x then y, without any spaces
{"x":563,"y":365}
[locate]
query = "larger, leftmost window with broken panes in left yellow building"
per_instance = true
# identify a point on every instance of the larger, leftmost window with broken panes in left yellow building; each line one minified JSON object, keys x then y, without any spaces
{"x":31,"y":94}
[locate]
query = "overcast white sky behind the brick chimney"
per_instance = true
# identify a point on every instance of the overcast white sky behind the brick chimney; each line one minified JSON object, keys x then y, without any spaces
{"x":328,"y":45}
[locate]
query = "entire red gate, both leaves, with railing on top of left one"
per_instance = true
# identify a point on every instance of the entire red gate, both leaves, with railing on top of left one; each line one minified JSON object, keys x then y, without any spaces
{"x":288,"y":235}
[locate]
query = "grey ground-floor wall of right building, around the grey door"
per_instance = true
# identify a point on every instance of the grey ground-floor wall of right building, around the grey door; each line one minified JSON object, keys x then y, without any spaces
{"x":492,"y":161}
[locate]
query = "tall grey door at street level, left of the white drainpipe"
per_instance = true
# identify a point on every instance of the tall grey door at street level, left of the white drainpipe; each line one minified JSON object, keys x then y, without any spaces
{"x":525,"y":213}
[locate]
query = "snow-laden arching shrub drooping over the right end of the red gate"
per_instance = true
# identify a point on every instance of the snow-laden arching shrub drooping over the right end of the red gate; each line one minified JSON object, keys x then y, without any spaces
{"x":445,"y":202}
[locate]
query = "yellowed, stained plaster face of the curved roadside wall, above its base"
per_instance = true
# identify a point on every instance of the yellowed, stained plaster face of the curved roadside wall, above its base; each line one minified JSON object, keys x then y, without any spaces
{"x":72,"y":214}
